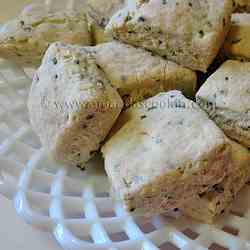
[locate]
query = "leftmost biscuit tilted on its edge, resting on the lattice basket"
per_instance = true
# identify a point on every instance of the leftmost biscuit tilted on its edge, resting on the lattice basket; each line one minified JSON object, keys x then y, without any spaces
{"x":72,"y":105}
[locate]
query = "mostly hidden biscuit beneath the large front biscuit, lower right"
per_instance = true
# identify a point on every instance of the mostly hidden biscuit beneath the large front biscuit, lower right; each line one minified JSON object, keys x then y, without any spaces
{"x":207,"y":206}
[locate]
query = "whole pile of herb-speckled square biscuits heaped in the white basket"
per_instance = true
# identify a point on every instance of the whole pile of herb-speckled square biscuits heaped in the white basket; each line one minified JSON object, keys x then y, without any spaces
{"x":120,"y":77}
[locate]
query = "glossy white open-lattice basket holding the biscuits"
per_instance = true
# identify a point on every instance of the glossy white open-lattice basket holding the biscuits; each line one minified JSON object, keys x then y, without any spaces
{"x":75,"y":206}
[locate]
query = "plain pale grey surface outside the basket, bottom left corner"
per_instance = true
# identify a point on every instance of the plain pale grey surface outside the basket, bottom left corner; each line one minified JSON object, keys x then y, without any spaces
{"x":16,"y":235}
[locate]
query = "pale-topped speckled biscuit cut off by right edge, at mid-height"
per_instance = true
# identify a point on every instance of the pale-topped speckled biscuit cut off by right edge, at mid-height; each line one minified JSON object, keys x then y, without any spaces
{"x":226,"y":98}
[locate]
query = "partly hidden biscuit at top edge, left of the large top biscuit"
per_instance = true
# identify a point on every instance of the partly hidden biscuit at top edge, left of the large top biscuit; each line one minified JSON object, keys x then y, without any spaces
{"x":99,"y":12}
